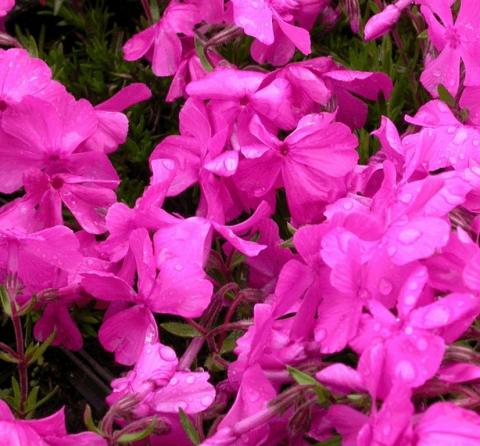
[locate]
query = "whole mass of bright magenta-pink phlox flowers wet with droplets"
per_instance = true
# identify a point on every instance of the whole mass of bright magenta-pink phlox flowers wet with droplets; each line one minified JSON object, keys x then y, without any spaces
{"x":359,"y":326}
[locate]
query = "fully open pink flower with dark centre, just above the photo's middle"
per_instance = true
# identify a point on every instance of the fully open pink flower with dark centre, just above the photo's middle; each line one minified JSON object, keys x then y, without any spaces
{"x":311,"y":163}
